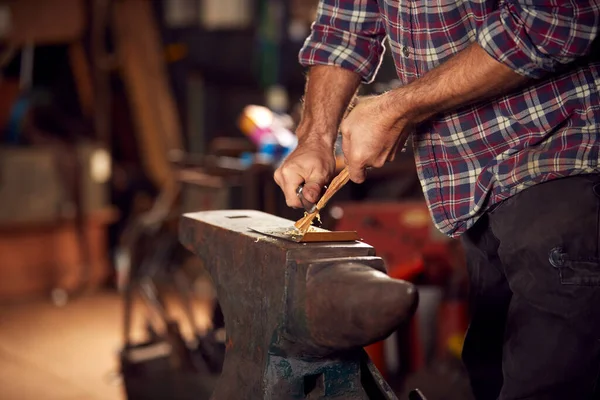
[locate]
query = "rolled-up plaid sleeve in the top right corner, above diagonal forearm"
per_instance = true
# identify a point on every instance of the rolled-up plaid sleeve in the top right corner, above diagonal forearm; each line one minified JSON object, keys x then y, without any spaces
{"x":535,"y":37}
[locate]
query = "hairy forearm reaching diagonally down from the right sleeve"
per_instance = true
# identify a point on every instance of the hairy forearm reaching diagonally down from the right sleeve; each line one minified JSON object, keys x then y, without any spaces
{"x":469,"y":77}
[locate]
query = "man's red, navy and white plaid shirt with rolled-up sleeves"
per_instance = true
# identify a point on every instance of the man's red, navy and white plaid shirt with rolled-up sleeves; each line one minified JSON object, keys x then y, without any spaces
{"x":479,"y":155}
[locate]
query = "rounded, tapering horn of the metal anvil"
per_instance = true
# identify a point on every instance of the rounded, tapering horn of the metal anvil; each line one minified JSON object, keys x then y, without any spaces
{"x":353,"y":305}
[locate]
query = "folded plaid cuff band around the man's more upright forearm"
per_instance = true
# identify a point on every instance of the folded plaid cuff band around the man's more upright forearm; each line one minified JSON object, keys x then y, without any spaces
{"x":330,"y":46}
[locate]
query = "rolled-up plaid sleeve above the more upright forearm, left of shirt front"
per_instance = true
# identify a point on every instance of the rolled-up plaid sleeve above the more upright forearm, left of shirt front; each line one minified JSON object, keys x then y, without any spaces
{"x":347,"y":34}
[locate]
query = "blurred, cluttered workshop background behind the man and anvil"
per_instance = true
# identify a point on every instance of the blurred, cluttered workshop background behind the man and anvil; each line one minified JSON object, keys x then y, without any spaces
{"x":117,"y":116}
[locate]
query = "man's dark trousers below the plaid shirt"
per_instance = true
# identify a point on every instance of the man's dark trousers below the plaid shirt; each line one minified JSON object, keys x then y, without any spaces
{"x":534,"y":267}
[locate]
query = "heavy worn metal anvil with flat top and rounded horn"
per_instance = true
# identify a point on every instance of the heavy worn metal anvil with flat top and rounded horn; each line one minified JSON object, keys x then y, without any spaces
{"x":297,"y":314}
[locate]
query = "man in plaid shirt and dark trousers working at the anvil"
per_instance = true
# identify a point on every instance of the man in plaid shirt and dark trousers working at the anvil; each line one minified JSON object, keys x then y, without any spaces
{"x":503,"y":104}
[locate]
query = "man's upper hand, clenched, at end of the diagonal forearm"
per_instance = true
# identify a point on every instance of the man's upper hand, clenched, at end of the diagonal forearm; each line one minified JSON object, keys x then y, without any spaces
{"x":372,"y":133}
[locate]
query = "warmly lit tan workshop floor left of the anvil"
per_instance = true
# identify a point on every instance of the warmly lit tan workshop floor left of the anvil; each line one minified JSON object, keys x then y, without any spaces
{"x":64,"y":353}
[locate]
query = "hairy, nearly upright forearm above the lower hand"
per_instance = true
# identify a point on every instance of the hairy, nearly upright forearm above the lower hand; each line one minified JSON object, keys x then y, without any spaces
{"x":329,"y":91}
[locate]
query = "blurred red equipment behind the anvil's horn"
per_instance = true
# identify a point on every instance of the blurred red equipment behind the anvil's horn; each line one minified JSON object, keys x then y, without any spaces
{"x":403,"y":234}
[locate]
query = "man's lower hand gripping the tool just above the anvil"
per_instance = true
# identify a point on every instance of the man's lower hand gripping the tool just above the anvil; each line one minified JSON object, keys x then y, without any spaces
{"x":311,"y":163}
